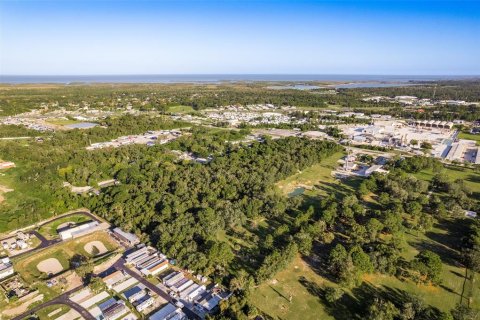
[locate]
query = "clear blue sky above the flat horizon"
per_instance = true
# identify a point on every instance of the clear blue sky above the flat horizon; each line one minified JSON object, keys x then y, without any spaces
{"x":69,"y":37}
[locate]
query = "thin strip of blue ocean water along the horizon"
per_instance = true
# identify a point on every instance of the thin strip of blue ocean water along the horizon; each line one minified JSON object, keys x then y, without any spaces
{"x":215,"y":78}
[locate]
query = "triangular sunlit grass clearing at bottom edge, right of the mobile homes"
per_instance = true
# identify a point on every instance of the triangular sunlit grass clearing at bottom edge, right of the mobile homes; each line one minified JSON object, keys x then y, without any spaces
{"x":273,"y":297}
